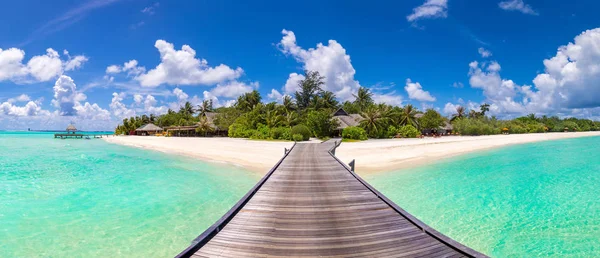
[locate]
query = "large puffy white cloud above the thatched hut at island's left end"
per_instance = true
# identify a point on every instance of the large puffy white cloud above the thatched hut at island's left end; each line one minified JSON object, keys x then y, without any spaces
{"x":181,"y":67}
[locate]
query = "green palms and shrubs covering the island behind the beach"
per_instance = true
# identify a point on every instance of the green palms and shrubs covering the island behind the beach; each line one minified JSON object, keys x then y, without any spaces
{"x":308,"y":113}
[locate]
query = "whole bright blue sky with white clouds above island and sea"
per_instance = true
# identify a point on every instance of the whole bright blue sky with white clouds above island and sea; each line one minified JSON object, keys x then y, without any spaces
{"x":453,"y":52}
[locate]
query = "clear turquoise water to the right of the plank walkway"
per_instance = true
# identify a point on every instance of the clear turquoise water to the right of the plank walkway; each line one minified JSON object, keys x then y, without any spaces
{"x":532,"y":200}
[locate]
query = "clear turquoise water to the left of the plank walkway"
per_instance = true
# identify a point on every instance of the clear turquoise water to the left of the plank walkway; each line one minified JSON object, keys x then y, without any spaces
{"x":82,"y":198}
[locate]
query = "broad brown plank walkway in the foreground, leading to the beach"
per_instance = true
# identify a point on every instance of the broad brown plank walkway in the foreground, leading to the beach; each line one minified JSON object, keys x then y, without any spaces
{"x":310,"y":204}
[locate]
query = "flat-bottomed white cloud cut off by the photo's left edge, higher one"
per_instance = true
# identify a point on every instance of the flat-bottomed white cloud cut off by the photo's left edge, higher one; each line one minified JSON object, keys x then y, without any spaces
{"x":39,"y":68}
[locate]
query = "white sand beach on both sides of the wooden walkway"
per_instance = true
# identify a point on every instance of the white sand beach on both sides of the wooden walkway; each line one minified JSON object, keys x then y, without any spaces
{"x":371,"y":156}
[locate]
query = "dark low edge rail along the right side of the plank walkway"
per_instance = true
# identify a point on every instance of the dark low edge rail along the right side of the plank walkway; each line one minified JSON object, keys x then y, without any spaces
{"x":426,"y":229}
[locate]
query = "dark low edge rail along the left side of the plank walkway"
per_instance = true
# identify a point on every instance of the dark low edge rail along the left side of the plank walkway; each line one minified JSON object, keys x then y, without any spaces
{"x":209,"y":233}
